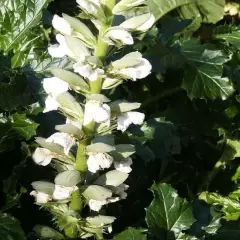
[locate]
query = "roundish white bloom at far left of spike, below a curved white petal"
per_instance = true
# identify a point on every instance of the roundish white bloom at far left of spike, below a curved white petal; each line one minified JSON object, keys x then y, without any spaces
{"x":43,"y":156}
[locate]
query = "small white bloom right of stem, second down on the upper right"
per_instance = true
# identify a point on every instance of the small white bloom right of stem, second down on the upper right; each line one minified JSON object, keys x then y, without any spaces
{"x":119,"y":36}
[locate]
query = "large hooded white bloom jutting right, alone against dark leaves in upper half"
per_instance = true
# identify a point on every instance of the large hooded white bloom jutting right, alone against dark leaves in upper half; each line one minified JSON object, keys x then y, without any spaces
{"x":132,"y":66}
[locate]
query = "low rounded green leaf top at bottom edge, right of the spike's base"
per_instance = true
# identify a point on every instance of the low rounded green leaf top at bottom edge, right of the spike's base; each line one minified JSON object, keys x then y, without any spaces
{"x":131,"y":234}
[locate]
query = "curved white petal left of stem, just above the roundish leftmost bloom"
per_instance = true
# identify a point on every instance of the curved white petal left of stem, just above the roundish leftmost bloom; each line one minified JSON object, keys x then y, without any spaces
{"x":62,"y":139}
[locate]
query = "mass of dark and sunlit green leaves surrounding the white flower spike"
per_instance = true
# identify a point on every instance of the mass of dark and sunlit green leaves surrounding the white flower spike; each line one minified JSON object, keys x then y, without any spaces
{"x":185,"y":179}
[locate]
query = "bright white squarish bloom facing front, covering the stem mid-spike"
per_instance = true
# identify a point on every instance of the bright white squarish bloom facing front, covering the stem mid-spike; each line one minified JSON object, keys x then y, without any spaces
{"x":96,"y":111}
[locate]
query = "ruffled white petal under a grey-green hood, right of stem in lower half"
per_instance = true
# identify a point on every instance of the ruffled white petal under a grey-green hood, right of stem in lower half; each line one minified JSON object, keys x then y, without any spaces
{"x":97,"y":161}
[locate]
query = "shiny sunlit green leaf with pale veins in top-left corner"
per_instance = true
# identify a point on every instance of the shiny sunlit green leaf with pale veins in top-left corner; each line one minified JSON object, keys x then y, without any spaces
{"x":19,"y":24}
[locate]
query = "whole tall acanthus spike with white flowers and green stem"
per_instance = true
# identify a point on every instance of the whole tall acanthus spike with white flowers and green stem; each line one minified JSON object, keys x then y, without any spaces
{"x":92,"y":168}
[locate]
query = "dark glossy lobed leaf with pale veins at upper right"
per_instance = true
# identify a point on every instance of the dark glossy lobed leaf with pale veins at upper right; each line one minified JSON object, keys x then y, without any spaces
{"x":203,"y":78}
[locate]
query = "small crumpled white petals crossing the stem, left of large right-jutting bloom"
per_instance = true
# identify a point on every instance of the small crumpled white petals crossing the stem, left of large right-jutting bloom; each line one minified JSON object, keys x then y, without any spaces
{"x":87,"y":71}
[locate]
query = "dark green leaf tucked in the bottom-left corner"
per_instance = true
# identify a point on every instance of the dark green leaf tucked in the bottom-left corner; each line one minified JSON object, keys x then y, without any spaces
{"x":10,"y":228}
